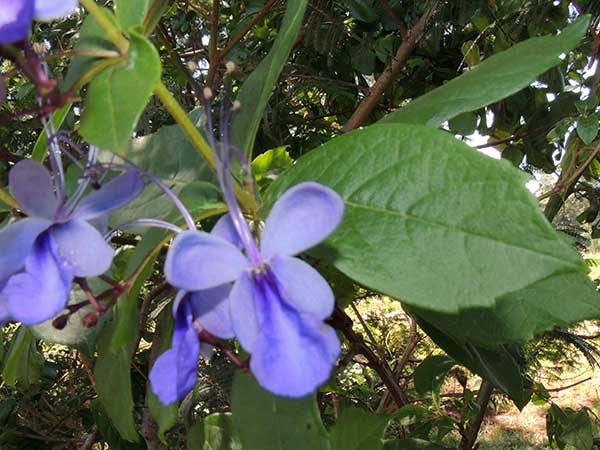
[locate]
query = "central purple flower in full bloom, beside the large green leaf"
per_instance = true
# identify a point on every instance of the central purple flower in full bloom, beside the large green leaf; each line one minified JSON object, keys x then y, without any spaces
{"x":278,"y":303}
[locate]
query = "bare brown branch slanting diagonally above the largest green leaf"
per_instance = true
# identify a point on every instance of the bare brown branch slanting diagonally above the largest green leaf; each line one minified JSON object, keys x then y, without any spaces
{"x":390,"y":73}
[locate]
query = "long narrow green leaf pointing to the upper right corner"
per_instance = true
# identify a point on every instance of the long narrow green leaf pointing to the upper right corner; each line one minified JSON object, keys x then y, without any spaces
{"x":495,"y":78}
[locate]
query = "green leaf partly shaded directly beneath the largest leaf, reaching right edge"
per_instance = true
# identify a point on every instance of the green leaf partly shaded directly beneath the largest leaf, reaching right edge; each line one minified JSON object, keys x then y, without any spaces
{"x":559,"y":300}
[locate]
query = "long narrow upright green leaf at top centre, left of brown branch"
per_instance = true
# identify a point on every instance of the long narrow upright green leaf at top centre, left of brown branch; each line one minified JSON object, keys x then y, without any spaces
{"x":256,"y":90}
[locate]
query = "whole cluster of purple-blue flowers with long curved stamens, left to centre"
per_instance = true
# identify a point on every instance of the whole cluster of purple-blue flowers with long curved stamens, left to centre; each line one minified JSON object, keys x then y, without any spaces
{"x":231,"y":284}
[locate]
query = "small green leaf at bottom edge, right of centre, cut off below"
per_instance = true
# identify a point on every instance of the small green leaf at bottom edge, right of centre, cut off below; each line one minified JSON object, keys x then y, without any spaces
{"x":357,"y":429}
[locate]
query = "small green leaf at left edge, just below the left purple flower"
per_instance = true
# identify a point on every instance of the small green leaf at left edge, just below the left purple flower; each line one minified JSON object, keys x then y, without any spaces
{"x":23,"y":362}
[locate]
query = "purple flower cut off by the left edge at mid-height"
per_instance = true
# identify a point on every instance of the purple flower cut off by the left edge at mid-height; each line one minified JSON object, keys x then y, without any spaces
{"x":60,"y":240}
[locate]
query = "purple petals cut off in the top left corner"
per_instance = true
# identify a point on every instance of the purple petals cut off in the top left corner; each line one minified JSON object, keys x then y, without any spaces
{"x":16,"y":16}
